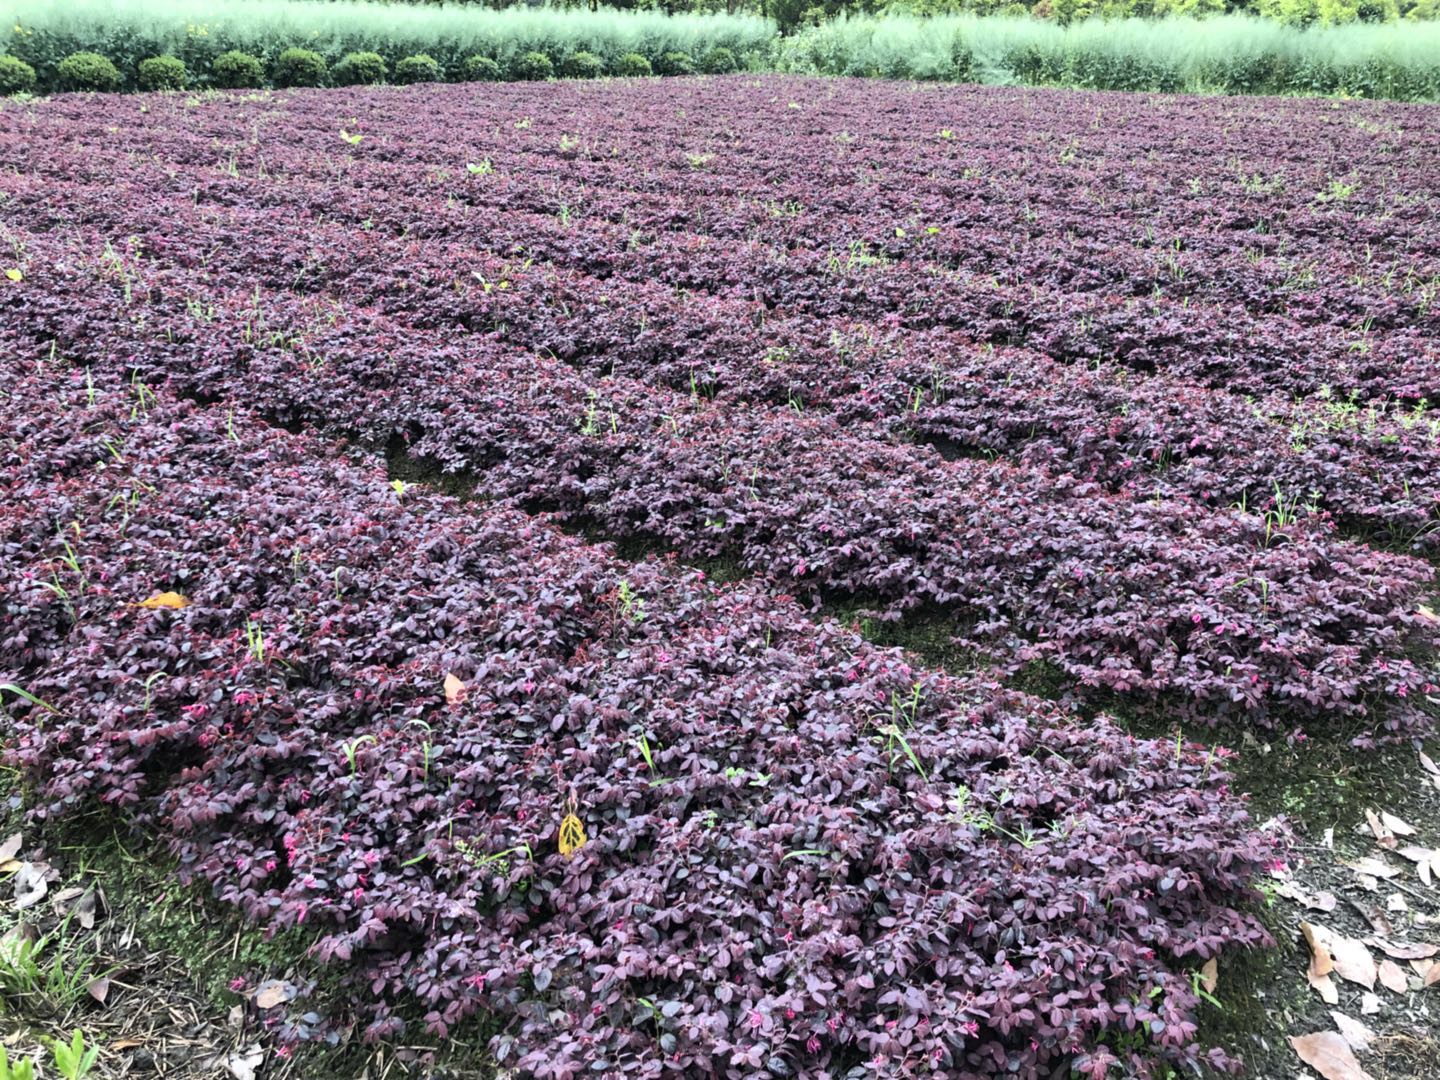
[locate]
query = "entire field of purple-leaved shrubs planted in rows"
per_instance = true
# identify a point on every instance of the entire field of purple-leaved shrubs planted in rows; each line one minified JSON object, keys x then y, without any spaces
{"x":462,"y":526}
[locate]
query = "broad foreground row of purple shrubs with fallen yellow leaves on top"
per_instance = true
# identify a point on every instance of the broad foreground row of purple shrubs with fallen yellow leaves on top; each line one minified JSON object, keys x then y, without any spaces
{"x":806,"y":856}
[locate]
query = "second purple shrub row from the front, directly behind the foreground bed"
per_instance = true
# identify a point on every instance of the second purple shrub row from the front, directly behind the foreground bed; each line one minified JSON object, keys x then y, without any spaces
{"x":1218,"y":614}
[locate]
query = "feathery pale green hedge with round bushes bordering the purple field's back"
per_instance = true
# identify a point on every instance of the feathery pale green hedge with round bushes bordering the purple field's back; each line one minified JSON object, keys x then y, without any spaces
{"x":1225,"y":54}
